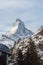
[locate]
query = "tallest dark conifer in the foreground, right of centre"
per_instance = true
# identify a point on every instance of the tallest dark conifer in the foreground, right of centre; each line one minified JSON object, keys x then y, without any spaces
{"x":31,"y":56}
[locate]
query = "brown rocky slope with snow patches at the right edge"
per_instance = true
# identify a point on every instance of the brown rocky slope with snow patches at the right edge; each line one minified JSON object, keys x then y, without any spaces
{"x":38,"y":38}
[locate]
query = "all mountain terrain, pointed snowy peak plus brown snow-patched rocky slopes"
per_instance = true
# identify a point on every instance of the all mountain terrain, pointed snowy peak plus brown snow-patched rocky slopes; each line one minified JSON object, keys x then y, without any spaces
{"x":18,"y":37}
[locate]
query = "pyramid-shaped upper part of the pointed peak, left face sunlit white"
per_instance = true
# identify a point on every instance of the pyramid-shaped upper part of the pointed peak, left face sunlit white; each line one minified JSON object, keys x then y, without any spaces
{"x":19,"y":29}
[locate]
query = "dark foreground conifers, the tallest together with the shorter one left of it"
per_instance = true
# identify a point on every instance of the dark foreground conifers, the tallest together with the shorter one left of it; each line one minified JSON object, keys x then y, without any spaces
{"x":31,"y":56}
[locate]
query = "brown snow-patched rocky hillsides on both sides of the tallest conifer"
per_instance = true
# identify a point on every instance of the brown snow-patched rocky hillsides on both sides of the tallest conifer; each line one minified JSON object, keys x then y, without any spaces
{"x":24,"y":43}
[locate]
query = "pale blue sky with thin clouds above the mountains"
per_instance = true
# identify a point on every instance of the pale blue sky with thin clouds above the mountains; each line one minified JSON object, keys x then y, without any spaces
{"x":29,"y":11}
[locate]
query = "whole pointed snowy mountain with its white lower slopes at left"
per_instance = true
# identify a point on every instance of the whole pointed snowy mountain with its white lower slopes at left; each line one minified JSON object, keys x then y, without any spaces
{"x":18,"y":31}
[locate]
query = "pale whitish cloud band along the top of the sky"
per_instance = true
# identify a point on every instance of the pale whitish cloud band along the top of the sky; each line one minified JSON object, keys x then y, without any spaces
{"x":16,"y":4}
